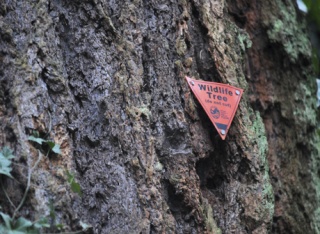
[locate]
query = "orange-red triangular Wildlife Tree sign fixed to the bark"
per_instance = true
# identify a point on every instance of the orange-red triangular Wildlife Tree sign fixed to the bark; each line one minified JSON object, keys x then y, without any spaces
{"x":220,"y":101}
